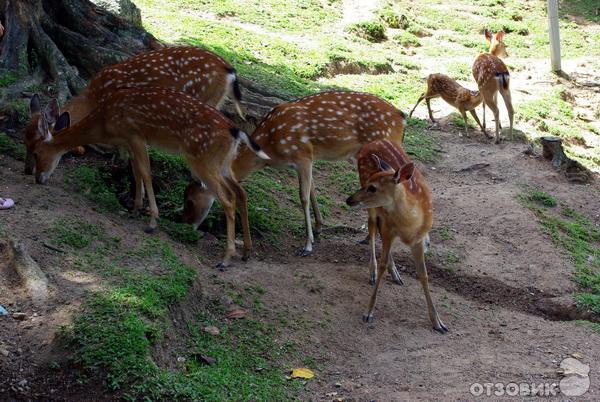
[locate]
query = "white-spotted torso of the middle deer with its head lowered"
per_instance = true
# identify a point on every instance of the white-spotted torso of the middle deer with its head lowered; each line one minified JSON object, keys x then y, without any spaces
{"x":329,"y":125}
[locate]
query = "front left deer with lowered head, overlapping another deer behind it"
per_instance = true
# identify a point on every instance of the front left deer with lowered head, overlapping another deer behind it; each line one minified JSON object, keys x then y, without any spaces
{"x":135,"y":117}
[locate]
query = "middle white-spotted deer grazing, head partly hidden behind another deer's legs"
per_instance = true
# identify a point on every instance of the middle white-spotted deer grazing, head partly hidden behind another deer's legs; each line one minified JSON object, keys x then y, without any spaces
{"x":329,"y":125}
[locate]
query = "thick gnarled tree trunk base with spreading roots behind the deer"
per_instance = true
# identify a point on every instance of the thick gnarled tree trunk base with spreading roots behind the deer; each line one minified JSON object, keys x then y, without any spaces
{"x":67,"y":40}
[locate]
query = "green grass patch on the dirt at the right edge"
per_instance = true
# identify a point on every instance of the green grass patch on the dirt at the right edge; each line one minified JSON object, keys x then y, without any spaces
{"x":577,"y":236}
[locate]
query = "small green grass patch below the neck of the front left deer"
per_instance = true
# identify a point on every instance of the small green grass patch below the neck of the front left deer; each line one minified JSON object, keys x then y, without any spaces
{"x":92,"y":181}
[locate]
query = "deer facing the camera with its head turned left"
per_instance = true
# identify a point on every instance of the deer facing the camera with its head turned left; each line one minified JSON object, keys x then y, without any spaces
{"x":395,"y":191}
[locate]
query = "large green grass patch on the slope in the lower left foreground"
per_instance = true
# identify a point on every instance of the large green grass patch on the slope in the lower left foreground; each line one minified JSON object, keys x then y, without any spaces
{"x":114,"y":335}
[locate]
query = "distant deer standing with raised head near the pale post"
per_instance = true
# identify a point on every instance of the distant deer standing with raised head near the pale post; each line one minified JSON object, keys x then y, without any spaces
{"x":492,"y":76}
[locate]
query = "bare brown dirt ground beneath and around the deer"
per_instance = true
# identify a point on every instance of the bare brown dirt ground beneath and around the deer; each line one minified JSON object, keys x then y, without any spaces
{"x":506,"y":301}
